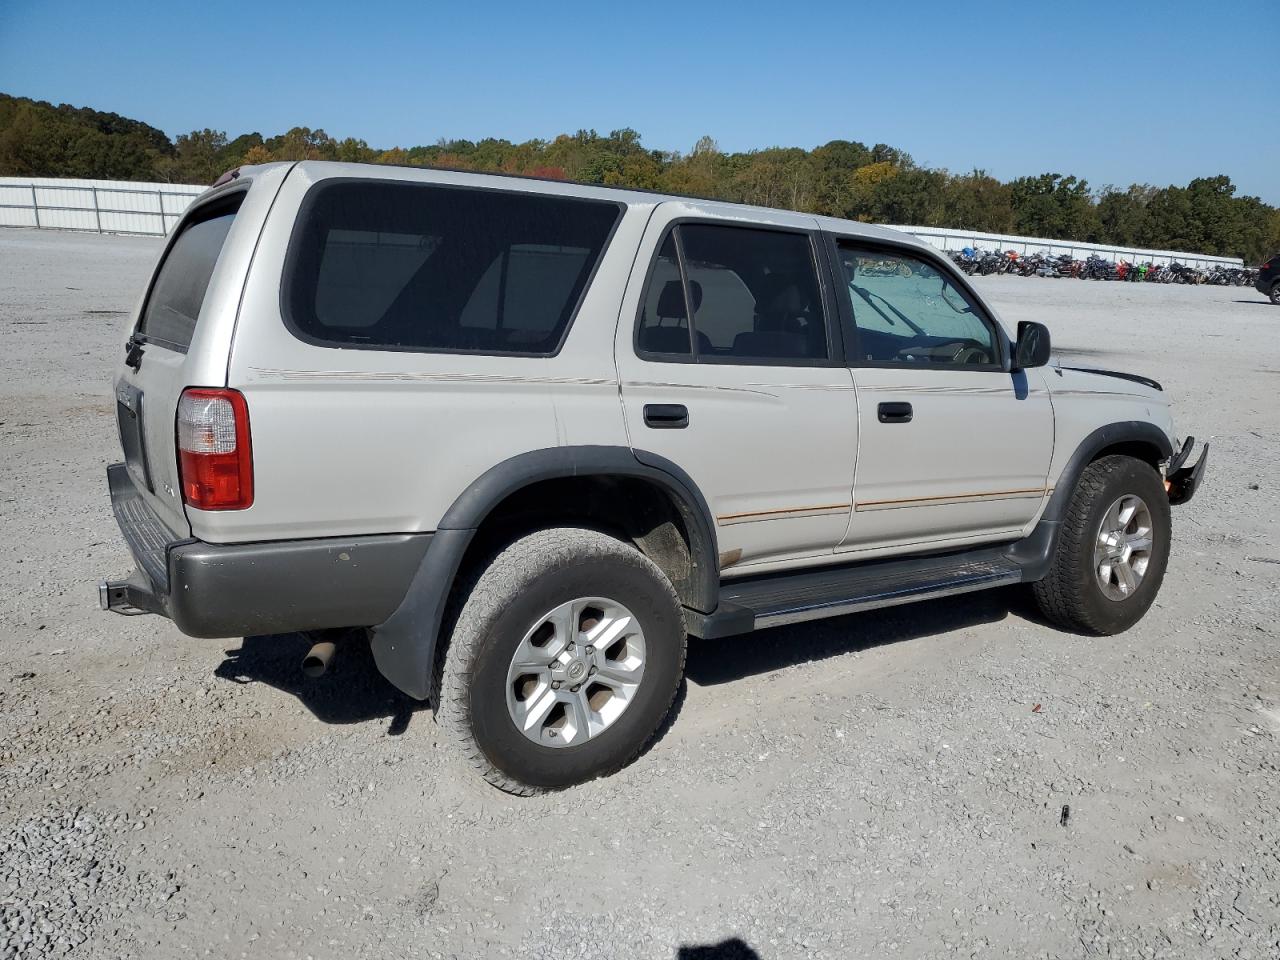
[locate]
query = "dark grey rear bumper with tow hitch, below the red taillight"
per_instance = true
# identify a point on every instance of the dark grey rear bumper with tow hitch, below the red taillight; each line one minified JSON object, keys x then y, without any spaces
{"x":220,"y":591}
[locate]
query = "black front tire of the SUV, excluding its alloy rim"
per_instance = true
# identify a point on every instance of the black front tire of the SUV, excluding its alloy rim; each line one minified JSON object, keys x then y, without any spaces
{"x":1071,"y":595}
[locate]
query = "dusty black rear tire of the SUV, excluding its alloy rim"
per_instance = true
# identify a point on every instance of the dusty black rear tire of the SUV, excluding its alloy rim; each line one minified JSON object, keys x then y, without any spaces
{"x":522,"y":584}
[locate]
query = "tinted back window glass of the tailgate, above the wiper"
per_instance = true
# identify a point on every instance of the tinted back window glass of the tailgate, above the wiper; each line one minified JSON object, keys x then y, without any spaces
{"x":182,"y":281}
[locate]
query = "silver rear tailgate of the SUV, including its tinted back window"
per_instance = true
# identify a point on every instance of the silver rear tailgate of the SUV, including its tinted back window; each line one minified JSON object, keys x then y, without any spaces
{"x":170,"y":349}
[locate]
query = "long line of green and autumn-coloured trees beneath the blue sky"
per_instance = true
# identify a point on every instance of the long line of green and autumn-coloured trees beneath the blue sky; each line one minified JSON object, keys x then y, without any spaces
{"x":843,"y":179}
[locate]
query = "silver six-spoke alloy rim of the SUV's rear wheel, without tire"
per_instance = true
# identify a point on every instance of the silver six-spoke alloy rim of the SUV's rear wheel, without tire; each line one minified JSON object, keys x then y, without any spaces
{"x":575,"y":673}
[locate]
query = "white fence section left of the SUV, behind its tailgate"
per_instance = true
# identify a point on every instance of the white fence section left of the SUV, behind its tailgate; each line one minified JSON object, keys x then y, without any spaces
{"x":106,"y":207}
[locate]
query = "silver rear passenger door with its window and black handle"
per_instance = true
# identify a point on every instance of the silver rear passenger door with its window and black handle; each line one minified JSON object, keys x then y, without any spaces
{"x":726,"y":359}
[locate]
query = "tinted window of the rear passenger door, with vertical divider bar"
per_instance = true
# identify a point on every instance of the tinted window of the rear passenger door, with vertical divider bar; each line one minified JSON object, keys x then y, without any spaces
{"x":753,"y":294}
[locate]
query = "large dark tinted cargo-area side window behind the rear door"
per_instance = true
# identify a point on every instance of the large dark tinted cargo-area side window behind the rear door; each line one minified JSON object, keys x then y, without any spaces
{"x":391,"y":266}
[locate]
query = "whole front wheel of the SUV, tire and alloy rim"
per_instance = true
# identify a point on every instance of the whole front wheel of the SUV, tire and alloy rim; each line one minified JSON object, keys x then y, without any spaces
{"x":1112,"y":552}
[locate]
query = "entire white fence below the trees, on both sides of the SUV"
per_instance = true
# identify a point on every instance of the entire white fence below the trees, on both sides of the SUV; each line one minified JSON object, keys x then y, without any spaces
{"x":125,"y":207}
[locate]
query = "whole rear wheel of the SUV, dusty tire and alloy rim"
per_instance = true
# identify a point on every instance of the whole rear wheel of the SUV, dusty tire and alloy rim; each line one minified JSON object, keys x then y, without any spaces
{"x":565,"y":661}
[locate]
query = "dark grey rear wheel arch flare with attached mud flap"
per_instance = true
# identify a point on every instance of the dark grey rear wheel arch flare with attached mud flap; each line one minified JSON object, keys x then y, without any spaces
{"x":405,"y":646}
